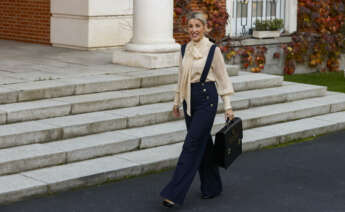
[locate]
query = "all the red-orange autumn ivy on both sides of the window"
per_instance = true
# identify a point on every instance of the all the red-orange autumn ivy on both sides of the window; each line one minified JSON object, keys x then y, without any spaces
{"x":318,"y":42}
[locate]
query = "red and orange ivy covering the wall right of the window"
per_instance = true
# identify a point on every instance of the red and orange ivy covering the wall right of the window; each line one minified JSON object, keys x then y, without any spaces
{"x":320,"y":38}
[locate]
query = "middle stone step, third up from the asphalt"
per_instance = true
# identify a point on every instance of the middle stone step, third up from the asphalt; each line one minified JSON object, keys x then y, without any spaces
{"x":96,"y":122}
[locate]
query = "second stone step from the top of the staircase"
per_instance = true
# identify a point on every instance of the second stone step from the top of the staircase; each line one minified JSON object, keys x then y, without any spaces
{"x":76,"y":104}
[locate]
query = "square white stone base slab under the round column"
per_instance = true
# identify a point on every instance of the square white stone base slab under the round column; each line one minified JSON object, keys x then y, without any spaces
{"x":146,"y":60}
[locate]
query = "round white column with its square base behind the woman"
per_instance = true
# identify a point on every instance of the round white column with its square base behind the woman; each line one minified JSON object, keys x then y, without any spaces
{"x":152,"y":44}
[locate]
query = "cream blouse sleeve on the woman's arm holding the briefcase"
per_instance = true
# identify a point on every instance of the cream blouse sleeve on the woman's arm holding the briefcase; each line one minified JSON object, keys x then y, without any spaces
{"x":223,"y":82}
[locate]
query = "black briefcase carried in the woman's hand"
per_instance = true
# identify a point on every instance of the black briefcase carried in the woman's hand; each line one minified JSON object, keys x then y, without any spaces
{"x":228,"y":143}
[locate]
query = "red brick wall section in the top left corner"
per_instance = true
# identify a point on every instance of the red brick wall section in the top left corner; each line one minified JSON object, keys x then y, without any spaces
{"x":25,"y":20}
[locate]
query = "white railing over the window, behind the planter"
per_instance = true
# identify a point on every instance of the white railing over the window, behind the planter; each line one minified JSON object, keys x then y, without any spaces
{"x":244,"y":13}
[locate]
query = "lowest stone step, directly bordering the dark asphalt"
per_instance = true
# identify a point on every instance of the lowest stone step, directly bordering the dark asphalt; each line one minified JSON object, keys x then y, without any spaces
{"x":99,"y":170}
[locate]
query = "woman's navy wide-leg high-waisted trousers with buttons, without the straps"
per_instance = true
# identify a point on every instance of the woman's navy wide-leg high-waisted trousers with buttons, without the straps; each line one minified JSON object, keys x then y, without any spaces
{"x":197,"y":149}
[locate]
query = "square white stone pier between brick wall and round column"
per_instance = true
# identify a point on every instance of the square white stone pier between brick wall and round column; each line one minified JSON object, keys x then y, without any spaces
{"x":88,"y":24}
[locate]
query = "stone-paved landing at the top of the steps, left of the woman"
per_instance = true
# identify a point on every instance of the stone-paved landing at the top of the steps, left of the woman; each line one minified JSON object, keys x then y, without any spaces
{"x":23,"y":62}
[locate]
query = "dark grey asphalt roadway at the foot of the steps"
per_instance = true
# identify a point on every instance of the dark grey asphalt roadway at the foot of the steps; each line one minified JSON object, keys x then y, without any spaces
{"x":304,"y":177}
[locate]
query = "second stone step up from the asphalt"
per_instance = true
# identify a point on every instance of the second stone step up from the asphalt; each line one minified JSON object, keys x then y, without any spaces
{"x":17,"y":159}
